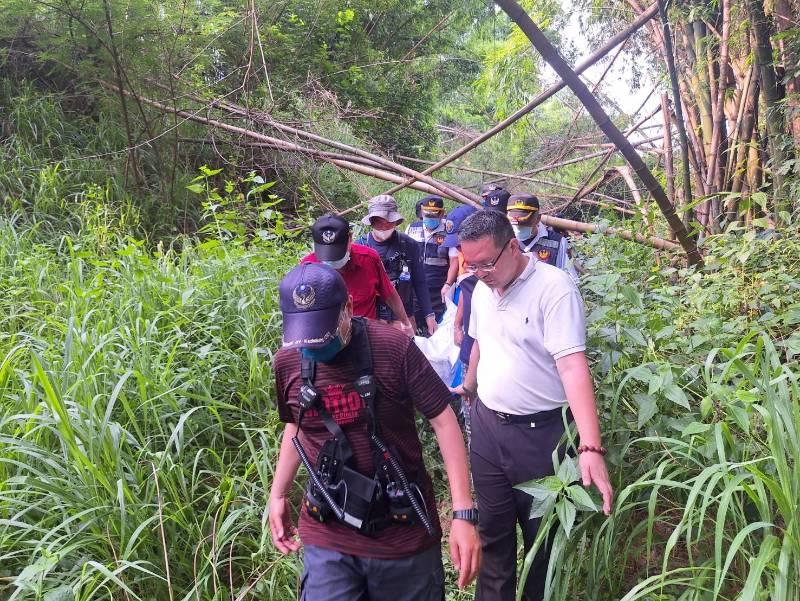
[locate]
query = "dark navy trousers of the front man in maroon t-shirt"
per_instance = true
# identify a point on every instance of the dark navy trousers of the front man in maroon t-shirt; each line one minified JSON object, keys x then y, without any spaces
{"x":332,"y":576}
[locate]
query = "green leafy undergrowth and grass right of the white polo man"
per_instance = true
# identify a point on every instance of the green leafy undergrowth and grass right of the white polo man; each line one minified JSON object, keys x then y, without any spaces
{"x":698,"y":389}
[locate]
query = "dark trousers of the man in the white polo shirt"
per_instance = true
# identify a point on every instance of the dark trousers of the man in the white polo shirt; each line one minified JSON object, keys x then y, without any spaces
{"x":503,"y":454}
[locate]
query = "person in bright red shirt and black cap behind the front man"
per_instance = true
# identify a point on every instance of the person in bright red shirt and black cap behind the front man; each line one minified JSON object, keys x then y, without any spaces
{"x":360,"y":267}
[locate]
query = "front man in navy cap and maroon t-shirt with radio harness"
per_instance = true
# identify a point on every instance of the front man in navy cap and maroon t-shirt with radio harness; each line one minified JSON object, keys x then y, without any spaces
{"x":350,"y":383}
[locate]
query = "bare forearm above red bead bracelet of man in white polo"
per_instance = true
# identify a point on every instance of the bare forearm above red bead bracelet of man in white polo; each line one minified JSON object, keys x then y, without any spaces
{"x":577,"y":381}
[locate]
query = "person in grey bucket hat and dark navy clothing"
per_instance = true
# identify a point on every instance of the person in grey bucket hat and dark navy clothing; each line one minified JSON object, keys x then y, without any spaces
{"x":400,"y":256}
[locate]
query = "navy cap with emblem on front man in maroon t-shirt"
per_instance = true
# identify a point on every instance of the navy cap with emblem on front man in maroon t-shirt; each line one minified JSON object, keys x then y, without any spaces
{"x":311,"y":299}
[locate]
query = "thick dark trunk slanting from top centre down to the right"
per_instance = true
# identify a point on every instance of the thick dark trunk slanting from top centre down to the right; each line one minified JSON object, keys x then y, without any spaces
{"x":554,"y":59}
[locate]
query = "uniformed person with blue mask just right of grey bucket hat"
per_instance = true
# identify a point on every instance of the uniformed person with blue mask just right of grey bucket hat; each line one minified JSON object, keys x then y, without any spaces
{"x":430,"y":234}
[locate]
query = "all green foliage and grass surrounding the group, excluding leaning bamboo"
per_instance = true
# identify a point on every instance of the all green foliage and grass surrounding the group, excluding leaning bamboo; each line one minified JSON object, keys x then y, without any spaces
{"x":138,"y":304}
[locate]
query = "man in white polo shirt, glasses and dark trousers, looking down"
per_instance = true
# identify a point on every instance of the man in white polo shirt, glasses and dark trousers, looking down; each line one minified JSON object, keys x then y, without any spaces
{"x":527,"y":362}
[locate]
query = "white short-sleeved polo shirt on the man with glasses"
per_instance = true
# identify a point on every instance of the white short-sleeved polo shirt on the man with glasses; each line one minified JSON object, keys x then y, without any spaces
{"x":539,"y":319}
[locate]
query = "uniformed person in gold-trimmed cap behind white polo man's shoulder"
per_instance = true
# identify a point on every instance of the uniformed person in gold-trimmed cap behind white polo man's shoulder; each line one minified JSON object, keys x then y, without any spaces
{"x":544,"y":243}
